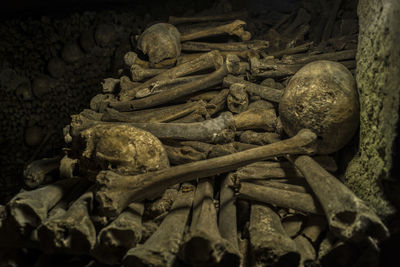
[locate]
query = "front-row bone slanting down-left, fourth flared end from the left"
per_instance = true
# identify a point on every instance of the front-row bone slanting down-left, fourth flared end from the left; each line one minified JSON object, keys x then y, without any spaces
{"x":162,"y":247}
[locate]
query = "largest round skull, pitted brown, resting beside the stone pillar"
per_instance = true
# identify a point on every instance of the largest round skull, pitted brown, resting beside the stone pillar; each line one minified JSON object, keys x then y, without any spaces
{"x":321,"y":97}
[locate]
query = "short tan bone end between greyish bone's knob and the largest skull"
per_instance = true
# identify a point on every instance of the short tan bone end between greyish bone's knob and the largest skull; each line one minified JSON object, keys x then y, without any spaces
{"x":256,"y":119}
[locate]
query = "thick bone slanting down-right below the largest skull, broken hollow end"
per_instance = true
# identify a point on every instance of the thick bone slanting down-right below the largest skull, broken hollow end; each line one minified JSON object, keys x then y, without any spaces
{"x":348,"y":216}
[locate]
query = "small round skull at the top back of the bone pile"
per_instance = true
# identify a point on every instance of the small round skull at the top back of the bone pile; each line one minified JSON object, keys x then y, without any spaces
{"x":160,"y":41}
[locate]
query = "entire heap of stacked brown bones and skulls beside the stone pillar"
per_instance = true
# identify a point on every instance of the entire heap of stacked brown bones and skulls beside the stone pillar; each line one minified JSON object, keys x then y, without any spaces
{"x":246,"y":196}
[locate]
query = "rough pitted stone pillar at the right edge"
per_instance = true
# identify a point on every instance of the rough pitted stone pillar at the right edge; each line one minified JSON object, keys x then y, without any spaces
{"x":378,"y":79}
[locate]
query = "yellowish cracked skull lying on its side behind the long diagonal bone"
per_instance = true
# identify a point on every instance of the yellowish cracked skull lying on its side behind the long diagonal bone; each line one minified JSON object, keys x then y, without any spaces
{"x":121,"y":148}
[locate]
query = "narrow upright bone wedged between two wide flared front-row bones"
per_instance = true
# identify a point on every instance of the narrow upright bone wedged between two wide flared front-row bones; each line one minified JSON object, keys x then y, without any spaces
{"x":227,"y":212}
